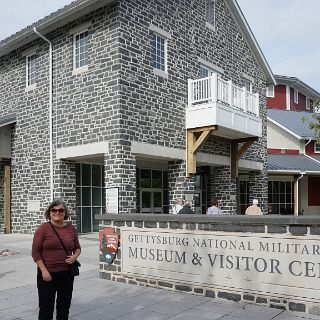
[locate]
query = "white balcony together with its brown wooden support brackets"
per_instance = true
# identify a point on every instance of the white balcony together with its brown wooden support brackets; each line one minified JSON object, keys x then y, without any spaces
{"x":219,"y":110}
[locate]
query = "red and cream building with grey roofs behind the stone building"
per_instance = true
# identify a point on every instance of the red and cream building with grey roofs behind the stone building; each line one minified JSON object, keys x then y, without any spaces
{"x":293,"y":151}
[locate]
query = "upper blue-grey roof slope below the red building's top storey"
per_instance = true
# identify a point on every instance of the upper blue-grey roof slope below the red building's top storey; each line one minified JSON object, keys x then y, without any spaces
{"x":292,"y":121}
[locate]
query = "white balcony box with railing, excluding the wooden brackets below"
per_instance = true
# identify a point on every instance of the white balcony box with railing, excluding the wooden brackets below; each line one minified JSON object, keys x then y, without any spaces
{"x":213,"y":101}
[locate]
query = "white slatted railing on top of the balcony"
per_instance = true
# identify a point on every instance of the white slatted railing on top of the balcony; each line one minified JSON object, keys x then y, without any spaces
{"x":215,"y":89}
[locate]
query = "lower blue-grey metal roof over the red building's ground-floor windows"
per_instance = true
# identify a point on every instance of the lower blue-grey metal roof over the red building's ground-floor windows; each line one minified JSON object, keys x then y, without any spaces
{"x":297,"y":163}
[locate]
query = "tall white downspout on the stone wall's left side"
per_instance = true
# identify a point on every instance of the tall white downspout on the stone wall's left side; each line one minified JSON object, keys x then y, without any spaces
{"x":50,"y":111}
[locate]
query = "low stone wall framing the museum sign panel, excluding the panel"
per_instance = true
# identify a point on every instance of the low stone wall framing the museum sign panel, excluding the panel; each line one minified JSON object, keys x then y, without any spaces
{"x":235,"y":224}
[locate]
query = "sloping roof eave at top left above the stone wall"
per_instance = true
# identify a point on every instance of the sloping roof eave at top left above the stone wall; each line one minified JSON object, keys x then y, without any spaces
{"x":50,"y":23}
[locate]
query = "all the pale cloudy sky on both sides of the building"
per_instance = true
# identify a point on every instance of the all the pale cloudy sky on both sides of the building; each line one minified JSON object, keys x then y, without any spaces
{"x":286,"y":30}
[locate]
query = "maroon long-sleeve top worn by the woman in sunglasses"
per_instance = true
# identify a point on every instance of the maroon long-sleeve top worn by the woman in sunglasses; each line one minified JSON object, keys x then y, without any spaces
{"x":47,"y":247}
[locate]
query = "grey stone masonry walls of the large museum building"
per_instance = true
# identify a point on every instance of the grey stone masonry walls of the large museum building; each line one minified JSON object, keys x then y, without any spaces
{"x":119,"y":99}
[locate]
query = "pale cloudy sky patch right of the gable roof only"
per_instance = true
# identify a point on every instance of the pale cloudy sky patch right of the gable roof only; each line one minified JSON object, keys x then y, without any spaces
{"x":287,"y":31}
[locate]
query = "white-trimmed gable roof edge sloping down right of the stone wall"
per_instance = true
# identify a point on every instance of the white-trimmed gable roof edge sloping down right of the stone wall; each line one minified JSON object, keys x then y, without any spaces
{"x":251,"y":40}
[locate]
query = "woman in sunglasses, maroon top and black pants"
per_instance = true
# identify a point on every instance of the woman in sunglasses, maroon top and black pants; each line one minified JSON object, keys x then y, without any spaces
{"x":53,"y":263}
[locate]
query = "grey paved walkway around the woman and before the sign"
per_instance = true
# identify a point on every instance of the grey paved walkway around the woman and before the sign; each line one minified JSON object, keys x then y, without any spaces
{"x":96,"y":299}
